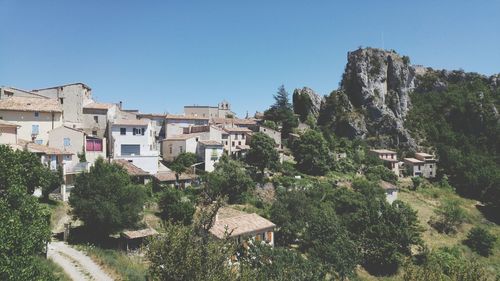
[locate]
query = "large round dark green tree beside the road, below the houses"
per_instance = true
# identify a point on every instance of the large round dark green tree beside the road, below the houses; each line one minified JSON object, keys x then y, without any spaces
{"x":106,"y":200}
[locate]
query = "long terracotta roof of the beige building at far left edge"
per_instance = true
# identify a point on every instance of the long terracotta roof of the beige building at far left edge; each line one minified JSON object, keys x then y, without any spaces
{"x":30,"y":104}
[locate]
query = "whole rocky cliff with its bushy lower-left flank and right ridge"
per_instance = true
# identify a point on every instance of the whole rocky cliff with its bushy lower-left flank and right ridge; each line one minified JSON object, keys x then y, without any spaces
{"x":373,"y":100}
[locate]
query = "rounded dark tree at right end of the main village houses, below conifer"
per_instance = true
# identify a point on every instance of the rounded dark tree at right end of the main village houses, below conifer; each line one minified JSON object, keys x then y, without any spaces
{"x":262,"y":153}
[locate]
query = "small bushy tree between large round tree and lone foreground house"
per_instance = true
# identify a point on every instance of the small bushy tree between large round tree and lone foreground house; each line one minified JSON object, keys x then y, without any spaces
{"x":174,"y":208}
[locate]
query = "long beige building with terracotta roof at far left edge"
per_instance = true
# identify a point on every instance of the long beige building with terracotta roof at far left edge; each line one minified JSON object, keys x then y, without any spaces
{"x":34,"y":116}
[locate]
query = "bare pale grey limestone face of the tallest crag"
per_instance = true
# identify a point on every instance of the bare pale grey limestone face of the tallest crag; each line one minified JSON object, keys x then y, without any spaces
{"x":377,"y":83}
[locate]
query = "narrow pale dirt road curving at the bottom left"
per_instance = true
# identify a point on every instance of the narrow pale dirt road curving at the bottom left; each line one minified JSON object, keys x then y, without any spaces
{"x":76,"y":264}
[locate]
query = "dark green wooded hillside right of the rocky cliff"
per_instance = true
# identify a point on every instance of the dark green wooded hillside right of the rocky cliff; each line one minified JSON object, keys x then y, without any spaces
{"x":461,"y":121}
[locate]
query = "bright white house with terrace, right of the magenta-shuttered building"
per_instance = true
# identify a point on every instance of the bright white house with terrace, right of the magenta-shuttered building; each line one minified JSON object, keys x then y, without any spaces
{"x":133,"y":140}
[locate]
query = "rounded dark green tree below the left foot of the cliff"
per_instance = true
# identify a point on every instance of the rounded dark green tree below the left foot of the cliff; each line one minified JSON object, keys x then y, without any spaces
{"x":312,"y":153}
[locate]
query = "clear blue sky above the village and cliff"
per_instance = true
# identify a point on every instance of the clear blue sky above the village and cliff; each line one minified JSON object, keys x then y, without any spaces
{"x":157,"y":56}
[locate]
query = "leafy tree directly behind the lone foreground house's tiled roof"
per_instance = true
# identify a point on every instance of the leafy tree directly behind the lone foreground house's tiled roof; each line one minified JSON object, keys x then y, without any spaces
{"x":229,"y":179}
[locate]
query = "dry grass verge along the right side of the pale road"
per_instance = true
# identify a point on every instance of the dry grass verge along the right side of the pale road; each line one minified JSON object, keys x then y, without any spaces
{"x":118,"y":264}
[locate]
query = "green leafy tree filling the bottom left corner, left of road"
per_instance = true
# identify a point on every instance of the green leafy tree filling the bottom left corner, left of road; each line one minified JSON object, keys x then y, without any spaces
{"x":24,"y":232}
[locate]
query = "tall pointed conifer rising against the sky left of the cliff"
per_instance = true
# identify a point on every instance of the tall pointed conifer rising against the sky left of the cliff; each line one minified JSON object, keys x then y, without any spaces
{"x":281,"y":112}
